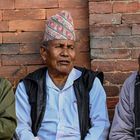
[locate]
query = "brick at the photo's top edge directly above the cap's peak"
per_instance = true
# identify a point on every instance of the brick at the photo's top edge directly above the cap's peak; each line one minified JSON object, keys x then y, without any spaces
{"x":72,"y":3}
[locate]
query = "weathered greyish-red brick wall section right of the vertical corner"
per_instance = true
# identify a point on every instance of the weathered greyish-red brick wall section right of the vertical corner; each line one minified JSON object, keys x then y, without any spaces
{"x":115,"y":42}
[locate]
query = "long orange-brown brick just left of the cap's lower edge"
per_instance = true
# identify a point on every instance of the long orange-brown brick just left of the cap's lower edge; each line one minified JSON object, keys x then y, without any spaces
{"x":22,"y":37}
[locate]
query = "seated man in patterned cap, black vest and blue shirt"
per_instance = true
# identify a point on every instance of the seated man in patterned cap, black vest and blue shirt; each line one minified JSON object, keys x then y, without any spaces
{"x":52,"y":103}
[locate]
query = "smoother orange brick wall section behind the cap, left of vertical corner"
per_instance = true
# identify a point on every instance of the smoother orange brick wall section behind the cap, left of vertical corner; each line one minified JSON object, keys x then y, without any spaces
{"x":21,"y":31}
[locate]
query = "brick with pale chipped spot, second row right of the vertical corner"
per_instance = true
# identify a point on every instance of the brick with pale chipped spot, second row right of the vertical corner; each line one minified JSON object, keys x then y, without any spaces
{"x":105,"y":19}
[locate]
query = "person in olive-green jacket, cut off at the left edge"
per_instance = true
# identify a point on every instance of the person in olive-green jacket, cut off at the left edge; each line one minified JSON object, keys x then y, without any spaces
{"x":7,"y":110}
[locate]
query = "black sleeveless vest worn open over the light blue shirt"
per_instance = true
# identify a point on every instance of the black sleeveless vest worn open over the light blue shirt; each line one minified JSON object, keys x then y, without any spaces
{"x":35,"y":85}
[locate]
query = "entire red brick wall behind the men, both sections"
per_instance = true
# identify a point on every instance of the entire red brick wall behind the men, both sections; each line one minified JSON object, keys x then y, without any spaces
{"x":114,"y":37}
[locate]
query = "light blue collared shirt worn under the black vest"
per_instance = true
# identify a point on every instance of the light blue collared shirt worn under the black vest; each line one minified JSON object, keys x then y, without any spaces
{"x":61,"y":121}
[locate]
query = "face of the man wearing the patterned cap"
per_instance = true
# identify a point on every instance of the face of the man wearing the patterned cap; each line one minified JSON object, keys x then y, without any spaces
{"x":59,"y":56}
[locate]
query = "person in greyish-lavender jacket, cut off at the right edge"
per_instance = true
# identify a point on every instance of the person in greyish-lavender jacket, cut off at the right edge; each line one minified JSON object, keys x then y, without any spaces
{"x":126,"y":122}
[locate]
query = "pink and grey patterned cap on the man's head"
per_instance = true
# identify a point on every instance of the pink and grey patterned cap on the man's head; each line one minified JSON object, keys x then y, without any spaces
{"x":59,"y":26}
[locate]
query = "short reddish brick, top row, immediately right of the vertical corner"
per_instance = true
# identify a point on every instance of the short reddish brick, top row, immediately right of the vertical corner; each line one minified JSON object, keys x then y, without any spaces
{"x":100,"y":7}
